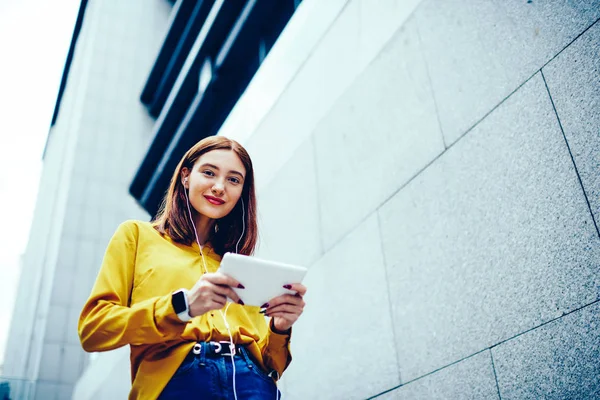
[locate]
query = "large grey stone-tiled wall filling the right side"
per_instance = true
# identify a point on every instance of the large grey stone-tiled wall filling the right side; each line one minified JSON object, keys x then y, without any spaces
{"x":447,"y":206}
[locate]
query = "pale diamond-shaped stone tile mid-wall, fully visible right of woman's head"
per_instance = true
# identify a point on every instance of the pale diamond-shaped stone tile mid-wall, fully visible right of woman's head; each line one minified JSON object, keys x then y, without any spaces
{"x":381,"y":132}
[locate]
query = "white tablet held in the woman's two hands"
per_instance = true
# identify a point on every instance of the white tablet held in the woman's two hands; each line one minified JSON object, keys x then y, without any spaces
{"x":262,"y":279}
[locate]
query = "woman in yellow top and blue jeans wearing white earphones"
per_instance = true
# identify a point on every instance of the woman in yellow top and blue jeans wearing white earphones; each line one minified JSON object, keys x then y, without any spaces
{"x":192,"y":344}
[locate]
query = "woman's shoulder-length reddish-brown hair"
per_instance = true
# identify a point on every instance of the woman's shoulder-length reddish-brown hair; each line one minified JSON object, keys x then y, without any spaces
{"x":173,"y":217}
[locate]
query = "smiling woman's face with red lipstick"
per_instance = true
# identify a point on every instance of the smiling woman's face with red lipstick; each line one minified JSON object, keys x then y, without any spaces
{"x":215,"y":183}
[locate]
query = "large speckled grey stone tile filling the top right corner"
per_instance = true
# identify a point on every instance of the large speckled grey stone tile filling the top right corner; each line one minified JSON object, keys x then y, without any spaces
{"x":479,"y":52}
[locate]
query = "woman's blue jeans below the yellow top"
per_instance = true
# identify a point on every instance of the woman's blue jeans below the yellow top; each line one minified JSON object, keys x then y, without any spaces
{"x":210,"y":376}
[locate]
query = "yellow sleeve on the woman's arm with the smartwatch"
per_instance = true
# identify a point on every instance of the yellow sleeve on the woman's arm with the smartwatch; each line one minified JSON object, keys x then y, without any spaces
{"x":107,"y":320}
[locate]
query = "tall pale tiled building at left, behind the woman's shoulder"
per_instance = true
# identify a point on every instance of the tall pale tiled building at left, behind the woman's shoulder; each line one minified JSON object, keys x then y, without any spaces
{"x":93,"y":149}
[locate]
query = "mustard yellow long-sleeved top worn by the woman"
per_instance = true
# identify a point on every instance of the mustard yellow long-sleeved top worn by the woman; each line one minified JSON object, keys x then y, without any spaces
{"x":131,"y":304}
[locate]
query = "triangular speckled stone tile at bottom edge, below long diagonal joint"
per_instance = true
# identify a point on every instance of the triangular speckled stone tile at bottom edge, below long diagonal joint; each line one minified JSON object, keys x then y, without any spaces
{"x":472,"y":378}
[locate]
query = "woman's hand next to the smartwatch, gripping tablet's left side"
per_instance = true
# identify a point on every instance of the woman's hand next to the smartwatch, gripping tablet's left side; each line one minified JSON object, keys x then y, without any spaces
{"x":211,"y":293}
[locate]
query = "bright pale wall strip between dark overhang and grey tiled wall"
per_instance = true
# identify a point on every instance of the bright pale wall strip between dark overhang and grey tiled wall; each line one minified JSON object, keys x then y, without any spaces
{"x":350,"y":43}
